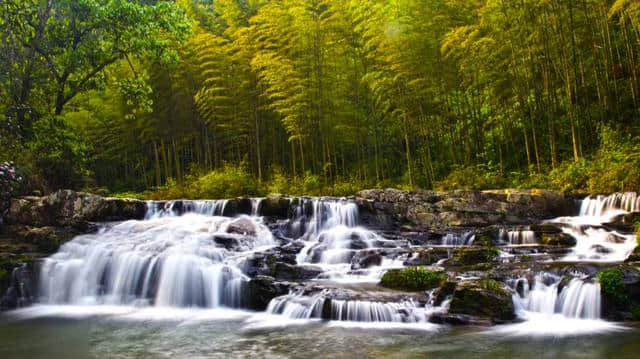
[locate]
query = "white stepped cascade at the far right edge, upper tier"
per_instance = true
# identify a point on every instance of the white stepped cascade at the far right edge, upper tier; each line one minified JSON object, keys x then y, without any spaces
{"x":594,"y":242}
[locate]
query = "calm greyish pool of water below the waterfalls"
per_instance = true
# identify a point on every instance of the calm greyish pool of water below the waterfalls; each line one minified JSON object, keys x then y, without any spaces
{"x":120,"y":332}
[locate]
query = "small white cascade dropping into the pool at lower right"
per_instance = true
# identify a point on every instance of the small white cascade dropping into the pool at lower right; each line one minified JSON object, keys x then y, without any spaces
{"x":549,"y":295}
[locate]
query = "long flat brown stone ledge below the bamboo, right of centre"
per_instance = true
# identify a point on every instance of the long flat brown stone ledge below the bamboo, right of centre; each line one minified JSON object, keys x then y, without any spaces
{"x":428,"y":210}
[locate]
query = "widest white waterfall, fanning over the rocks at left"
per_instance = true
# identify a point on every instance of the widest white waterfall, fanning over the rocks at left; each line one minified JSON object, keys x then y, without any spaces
{"x":186,"y":261}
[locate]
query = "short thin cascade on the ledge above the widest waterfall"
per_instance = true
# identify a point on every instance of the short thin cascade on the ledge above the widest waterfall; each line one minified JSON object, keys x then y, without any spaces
{"x":177,"y":208}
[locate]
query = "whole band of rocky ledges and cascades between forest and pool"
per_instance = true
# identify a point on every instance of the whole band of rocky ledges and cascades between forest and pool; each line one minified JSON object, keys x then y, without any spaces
{"x":496,"y":255}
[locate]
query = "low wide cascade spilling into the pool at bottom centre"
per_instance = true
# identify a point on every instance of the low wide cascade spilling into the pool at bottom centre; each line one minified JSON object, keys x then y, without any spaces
{"x":298,"y":306}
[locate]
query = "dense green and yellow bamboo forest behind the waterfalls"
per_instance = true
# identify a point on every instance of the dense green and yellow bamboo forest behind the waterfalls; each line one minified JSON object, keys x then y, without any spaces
{"x":225,"y":97}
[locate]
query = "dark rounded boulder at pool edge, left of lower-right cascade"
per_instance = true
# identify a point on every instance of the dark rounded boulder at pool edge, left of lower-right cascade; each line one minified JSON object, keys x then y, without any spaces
{"x":484,"y":299}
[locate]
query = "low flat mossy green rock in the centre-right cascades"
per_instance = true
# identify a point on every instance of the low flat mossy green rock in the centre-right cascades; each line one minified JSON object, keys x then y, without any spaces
{"x":413,"y":279}
